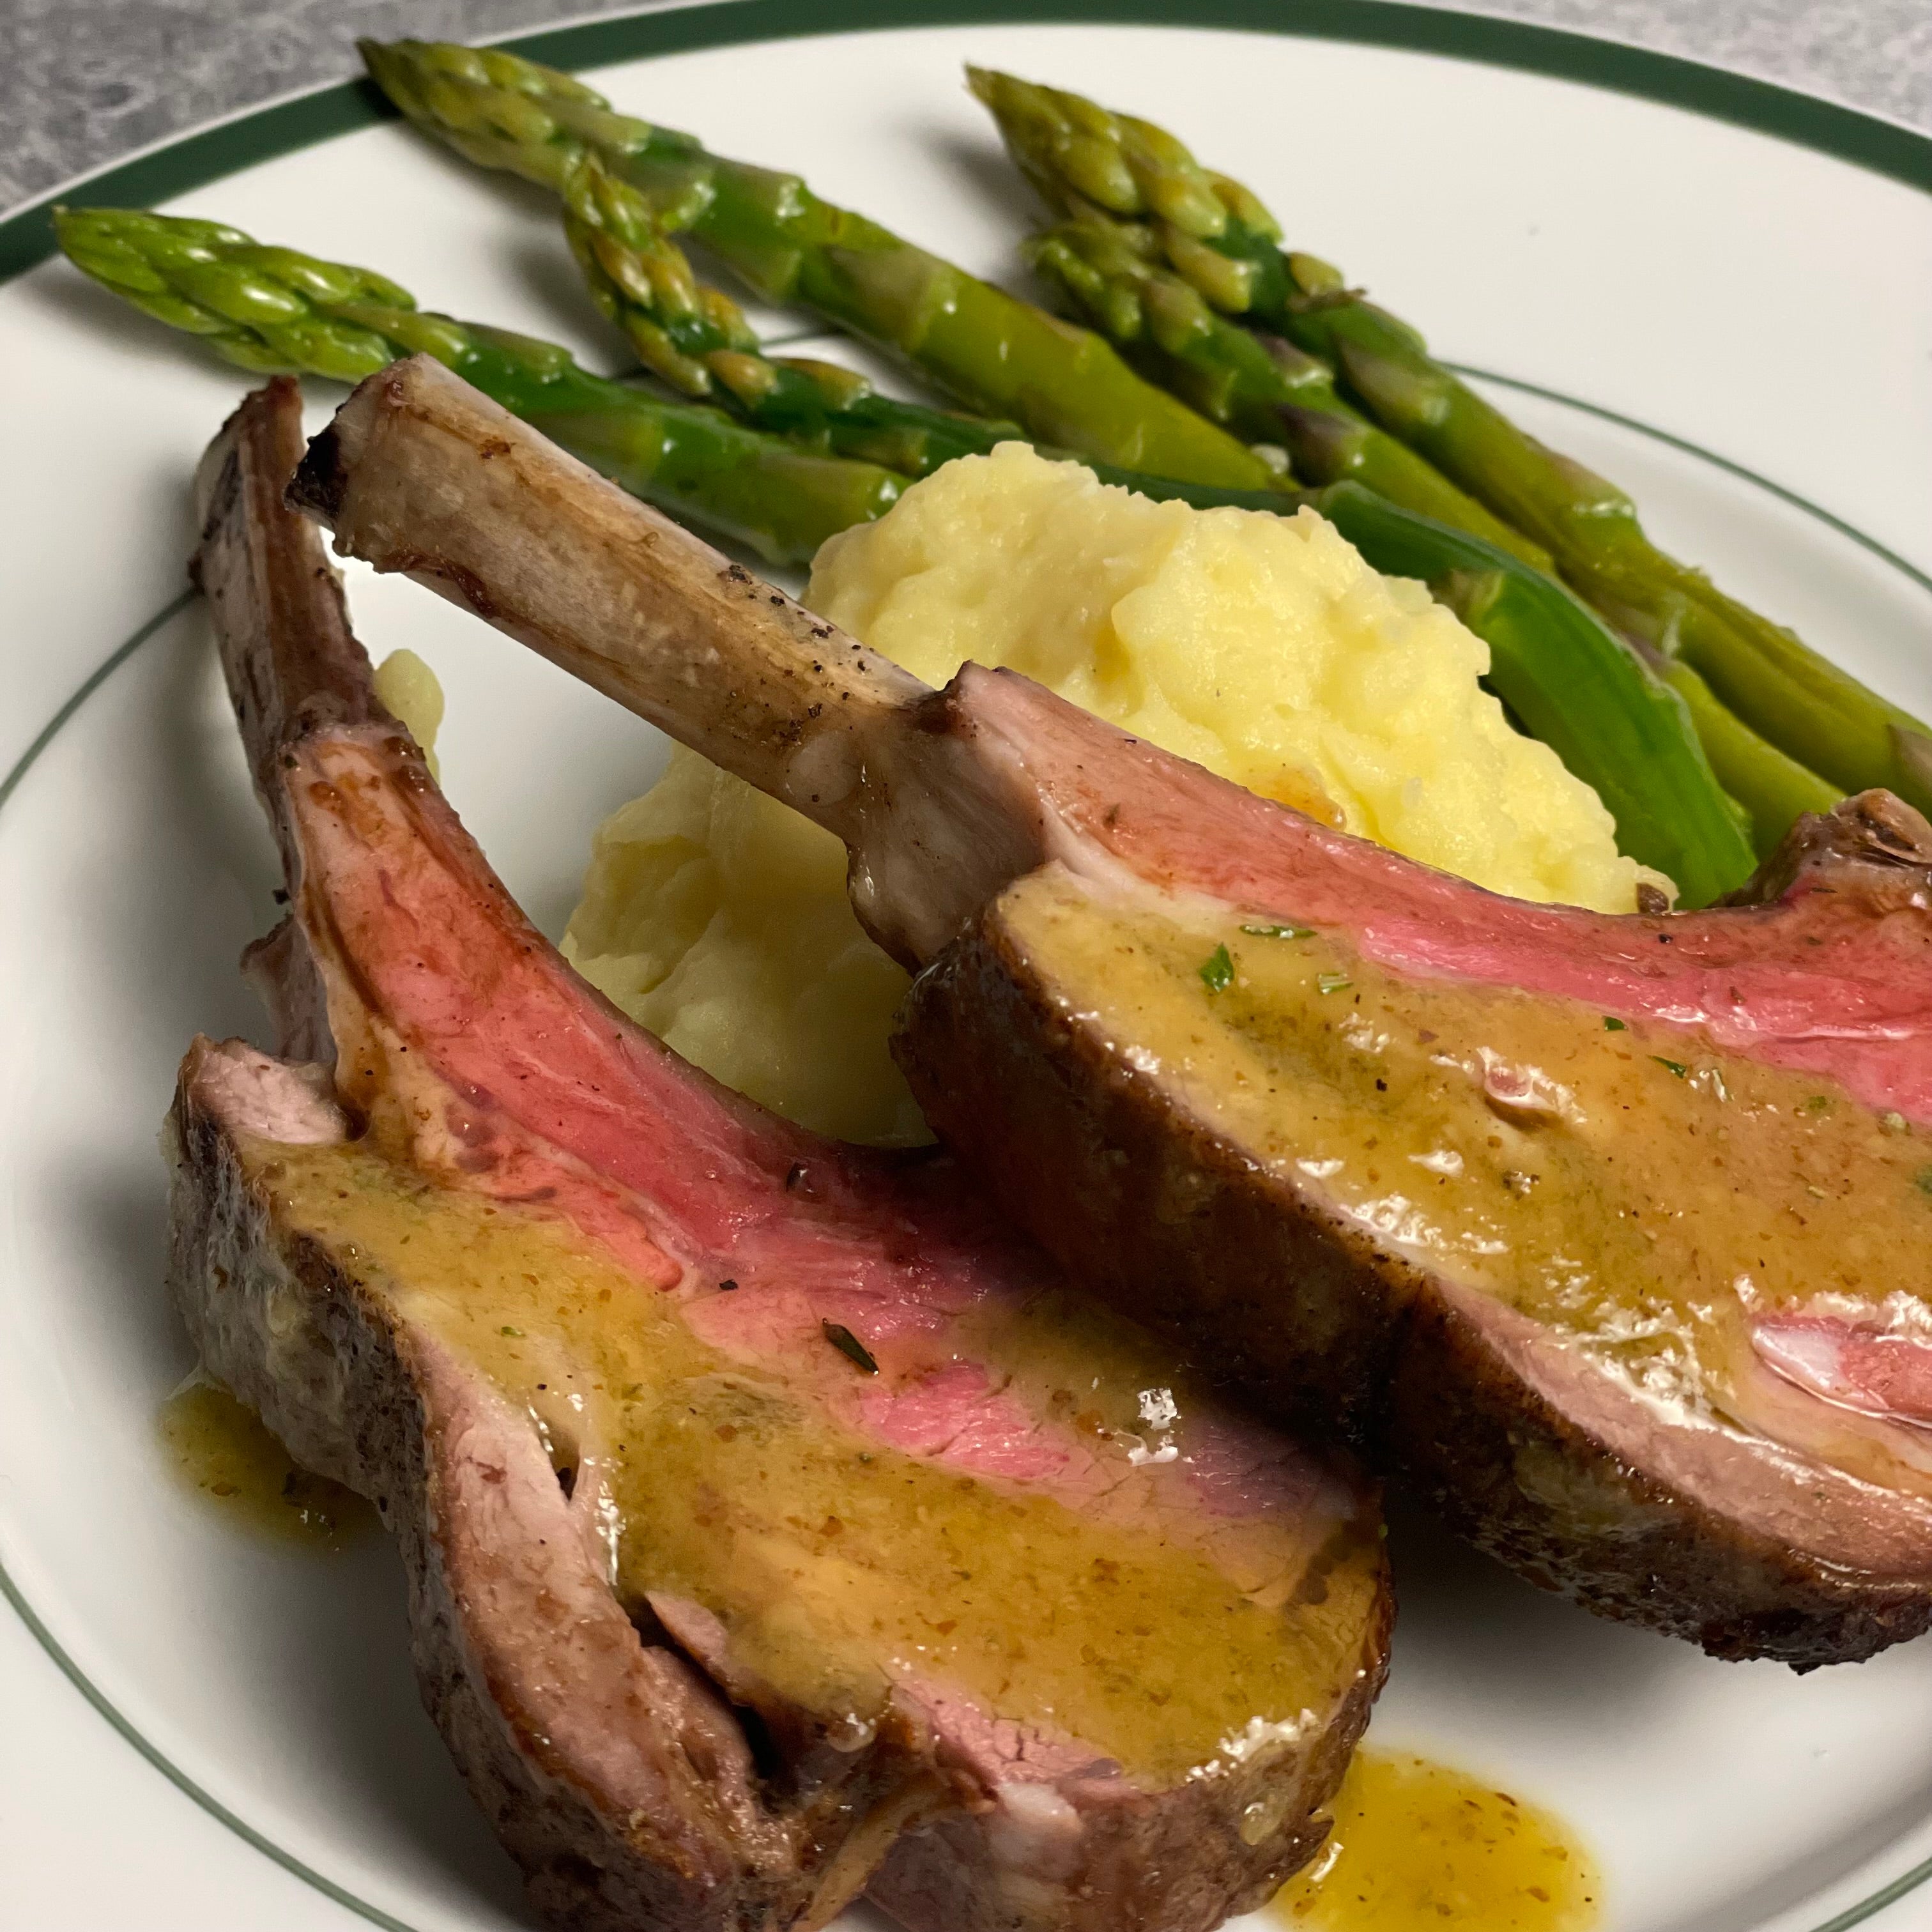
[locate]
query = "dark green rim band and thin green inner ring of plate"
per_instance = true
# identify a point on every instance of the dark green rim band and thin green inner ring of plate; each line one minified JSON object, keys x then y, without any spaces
{"x":281,"y":128}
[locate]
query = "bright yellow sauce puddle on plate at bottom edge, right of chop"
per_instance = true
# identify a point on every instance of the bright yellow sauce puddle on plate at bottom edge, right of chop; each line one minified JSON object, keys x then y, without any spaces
{"x":1421,"y":1848}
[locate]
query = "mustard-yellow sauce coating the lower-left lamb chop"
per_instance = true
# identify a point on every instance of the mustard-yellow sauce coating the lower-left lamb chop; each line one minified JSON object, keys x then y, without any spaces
{"x":834,"y":1562}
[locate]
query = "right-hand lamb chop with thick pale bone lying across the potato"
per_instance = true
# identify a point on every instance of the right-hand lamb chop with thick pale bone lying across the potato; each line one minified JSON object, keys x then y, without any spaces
{"x":1608,"y":1236}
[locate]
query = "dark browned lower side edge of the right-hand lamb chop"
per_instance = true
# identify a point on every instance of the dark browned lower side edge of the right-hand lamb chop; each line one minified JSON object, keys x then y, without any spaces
{"x":1301,"y":1315}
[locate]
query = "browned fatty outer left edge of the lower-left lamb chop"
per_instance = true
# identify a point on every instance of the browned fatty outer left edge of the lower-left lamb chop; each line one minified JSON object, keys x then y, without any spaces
{"x":613,"y":1771}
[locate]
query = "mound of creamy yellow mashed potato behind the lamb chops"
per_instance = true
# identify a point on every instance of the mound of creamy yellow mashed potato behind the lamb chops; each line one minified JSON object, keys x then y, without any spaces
{"x":1259,"y":646}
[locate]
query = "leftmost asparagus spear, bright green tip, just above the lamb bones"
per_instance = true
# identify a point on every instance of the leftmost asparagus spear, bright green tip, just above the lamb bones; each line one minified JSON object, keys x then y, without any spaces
{"x":271,"y":310}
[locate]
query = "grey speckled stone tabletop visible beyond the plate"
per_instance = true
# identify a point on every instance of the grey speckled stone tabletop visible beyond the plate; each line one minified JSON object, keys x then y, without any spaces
{"x":84,"y":82}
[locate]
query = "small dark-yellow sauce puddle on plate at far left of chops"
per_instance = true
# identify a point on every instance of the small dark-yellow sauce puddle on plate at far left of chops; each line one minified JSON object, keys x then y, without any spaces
{"x":227,"y":1454}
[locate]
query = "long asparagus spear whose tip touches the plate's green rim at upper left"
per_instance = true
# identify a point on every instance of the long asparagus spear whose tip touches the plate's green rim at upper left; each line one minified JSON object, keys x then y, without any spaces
{"x":982,"y":347}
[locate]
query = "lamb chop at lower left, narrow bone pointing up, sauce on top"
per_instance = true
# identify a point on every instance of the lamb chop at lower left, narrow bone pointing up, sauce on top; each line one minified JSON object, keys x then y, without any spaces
{"x":778,"y":1523}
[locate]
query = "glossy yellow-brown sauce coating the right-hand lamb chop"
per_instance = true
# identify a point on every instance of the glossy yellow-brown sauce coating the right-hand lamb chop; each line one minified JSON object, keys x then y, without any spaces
{"x":1632,"y":1187}
